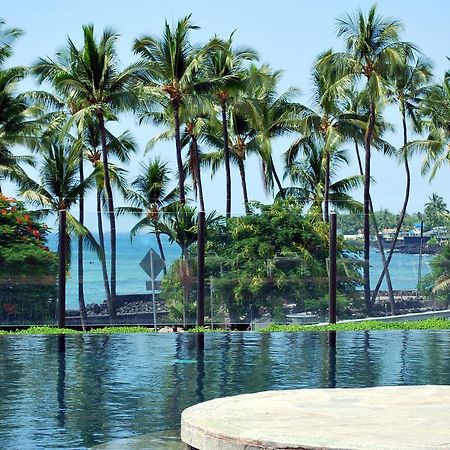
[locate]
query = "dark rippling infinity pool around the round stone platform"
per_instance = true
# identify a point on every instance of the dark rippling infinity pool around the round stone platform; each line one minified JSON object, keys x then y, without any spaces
{"x":128,"y":391}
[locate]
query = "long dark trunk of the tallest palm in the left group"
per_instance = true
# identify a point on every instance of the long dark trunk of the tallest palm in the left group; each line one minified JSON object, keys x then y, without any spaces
{"x":112,"y":218}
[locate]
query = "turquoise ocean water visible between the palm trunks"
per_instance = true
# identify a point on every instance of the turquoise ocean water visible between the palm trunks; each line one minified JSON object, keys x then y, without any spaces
{"x":131,"y":279}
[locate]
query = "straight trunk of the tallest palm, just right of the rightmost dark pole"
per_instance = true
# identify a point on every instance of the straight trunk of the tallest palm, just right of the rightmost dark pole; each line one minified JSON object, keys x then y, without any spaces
{"x":366,"y":218}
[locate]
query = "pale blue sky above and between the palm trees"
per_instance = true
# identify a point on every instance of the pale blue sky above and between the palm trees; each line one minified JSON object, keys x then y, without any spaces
{"x":288,"y":35}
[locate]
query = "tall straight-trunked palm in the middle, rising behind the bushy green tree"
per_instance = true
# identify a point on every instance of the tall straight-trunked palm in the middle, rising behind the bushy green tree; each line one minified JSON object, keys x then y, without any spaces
{"x":226,"y":64}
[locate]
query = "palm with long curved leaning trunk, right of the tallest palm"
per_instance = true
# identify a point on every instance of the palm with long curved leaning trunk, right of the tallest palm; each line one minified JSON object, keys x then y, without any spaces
{"x":408,"y":90}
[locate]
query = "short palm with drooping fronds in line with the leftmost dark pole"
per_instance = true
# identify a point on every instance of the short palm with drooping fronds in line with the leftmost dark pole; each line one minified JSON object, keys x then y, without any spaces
{"x":56,"y":192}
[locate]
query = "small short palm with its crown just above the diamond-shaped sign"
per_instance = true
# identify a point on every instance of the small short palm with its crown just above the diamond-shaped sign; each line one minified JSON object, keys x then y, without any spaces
{"x":150,"y":195}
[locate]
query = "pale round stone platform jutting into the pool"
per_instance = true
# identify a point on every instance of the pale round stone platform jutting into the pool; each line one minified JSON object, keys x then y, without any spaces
{"x":400,"y":418}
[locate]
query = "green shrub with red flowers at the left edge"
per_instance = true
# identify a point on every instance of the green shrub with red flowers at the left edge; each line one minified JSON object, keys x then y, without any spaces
{"x":27,"y":267}
